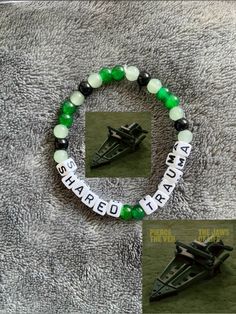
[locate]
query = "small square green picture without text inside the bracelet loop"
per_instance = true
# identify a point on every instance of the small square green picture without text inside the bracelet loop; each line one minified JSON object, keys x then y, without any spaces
{"x":118,"y":144}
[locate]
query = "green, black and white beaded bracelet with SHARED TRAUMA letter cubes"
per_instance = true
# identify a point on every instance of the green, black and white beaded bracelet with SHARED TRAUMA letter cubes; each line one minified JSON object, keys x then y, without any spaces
{"x":175,"y":160}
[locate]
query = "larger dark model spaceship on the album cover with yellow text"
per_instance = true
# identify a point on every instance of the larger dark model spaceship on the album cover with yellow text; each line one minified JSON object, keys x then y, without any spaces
{"x":192,"y":262}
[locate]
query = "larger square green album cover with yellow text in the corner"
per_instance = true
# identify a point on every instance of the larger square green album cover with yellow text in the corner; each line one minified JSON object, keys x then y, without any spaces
{"x":189,"y":266}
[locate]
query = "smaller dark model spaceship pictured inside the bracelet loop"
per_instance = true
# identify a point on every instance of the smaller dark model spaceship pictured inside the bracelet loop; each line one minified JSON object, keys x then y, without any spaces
{"x":119,"y":142}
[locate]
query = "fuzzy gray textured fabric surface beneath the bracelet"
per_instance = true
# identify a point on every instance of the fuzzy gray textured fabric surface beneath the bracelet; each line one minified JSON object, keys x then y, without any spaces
{"x":56,"y":256}
